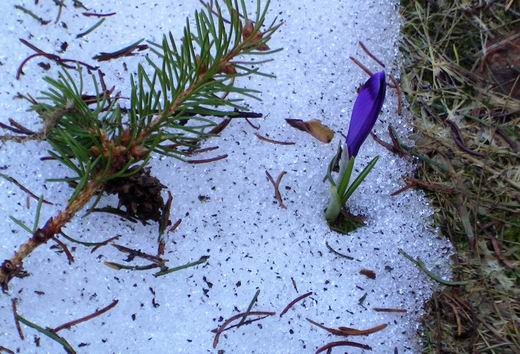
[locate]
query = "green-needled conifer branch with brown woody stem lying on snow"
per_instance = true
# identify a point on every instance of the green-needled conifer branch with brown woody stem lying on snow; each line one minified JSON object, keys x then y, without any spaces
{"x":101,"y":144}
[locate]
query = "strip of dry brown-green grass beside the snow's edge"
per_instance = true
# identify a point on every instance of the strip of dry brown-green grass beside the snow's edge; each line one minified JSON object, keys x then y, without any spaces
{"x":461,"y":73}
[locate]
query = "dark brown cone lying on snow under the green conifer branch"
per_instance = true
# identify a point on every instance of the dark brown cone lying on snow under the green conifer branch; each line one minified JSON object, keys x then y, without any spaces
{"x":140,"y":194}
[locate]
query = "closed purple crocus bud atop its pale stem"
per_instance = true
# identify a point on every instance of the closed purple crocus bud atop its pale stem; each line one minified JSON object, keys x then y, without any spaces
{"x":365,"y":112}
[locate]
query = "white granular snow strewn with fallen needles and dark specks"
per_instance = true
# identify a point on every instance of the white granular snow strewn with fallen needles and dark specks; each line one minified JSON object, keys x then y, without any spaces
{"x":253,"y":244}
